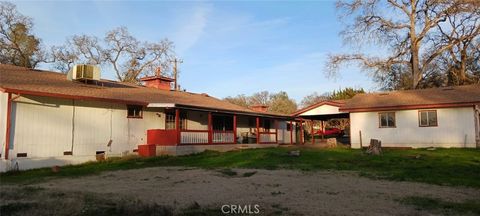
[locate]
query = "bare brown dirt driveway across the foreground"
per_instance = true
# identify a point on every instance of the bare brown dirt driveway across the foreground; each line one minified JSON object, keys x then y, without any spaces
{"x":281,"y":191}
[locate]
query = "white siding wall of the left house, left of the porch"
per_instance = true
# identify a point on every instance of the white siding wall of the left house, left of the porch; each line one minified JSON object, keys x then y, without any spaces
{"x":43,"y":127}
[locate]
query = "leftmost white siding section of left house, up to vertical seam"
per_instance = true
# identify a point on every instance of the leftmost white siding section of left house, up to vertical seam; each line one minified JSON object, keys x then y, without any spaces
{"x":41,"y":127}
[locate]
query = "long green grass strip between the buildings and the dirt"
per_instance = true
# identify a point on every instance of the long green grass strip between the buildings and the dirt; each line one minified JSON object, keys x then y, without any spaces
{"x":441,"y":166}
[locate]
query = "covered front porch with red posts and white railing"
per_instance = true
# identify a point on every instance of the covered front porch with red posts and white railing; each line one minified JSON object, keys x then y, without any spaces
{"x":195,"y":127}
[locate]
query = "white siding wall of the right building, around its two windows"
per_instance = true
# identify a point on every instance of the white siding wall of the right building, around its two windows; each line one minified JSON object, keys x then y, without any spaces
{"x":455,"y":129}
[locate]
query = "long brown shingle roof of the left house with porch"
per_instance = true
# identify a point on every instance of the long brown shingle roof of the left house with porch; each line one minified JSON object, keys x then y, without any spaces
{"x":38,"y":82}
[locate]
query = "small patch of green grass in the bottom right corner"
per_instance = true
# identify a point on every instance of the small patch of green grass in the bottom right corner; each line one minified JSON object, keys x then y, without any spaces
{"x":444,"y":207}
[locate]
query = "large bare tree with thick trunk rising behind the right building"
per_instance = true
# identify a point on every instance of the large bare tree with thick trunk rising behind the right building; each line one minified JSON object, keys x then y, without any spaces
{"x":399,"y":26}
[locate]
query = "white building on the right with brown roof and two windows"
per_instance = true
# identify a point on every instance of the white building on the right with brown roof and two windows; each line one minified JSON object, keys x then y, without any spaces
{"x":437,"y":117}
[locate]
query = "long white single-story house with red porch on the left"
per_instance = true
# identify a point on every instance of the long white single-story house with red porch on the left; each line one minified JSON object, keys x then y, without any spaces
{"x":48,"y":118}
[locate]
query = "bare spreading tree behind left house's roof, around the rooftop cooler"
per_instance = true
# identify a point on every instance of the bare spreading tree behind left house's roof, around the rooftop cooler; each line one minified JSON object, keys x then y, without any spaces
{"x":119,"y":50}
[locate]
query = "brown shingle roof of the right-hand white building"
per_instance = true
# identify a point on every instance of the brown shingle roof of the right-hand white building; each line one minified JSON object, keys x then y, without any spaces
{"x":411,"y":99}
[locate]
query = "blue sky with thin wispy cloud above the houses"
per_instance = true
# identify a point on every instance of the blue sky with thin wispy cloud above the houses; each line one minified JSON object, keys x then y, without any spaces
{"x":228,"y":47}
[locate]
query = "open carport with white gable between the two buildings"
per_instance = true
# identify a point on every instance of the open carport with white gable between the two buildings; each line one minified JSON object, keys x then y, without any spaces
{"x":312,"y":120}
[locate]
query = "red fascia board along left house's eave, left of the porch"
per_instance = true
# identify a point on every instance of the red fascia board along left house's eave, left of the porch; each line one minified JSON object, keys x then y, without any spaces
{"x":77,"y":97}
